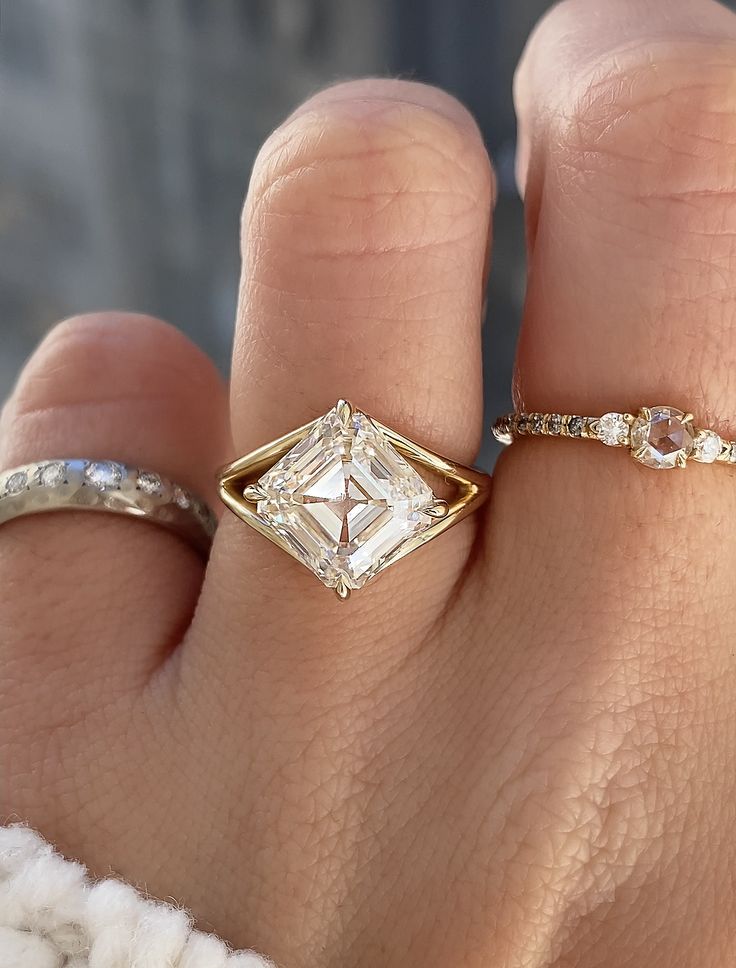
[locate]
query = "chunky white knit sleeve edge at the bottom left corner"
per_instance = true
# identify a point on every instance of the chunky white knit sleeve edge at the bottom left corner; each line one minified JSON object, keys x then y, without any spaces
{"x":52,"y":915}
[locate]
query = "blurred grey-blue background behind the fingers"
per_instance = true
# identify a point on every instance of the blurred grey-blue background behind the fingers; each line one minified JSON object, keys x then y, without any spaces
{"x":128,"y":129}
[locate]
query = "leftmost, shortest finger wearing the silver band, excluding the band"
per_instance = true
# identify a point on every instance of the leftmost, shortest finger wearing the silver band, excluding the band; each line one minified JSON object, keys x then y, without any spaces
{"x":94,"y":597}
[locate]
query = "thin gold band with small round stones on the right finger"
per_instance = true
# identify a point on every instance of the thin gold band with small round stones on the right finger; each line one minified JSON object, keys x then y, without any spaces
{"x":659,"y":437}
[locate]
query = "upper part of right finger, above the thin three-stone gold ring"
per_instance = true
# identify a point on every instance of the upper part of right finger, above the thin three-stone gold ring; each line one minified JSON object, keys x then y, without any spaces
{"x":626,"y":124}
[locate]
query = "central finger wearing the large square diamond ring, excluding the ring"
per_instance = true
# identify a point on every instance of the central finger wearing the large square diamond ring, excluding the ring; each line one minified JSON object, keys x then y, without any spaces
{"x":364,"y":238}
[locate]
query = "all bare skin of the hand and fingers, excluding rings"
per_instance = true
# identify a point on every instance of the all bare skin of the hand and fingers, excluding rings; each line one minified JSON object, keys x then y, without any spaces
{"x":516,"y":749}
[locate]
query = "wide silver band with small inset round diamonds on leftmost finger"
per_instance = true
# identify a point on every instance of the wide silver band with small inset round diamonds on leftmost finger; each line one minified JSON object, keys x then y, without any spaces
{"x":74,"y":484}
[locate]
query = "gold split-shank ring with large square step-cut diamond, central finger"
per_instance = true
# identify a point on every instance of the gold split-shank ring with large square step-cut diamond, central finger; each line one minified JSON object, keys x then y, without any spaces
{"x":343,"y":495}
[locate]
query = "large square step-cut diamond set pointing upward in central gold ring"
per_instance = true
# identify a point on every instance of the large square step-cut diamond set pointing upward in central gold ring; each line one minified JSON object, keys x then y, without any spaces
{"x":344,"y":499}
